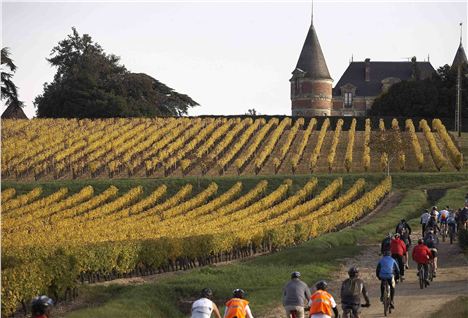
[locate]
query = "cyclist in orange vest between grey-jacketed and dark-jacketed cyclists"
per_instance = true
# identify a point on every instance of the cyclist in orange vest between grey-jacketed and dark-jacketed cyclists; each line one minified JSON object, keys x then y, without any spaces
{"x":322,"y":303}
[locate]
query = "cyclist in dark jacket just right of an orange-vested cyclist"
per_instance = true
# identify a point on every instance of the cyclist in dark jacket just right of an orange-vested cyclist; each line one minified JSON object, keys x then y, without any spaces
{"x":351,"y":290}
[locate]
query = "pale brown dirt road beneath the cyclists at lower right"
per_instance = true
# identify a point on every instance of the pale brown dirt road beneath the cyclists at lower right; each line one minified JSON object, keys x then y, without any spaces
{"x":410,"y":300}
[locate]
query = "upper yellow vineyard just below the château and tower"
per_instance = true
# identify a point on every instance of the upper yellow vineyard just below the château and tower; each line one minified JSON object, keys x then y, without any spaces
{"x":50,"y":149}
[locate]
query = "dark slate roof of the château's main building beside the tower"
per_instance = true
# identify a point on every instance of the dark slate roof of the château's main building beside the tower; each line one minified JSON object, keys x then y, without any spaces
{"x":355,"y":75}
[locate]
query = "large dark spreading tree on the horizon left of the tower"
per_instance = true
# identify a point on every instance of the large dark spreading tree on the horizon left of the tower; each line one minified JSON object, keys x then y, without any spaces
{"x":92,"y":84}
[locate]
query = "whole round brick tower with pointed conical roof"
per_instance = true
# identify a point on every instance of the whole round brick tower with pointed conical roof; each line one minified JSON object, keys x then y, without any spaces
{"x":311,"y":84}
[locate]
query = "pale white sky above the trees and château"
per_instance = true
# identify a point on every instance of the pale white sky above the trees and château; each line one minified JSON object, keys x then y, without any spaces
{"x":229,"y":56}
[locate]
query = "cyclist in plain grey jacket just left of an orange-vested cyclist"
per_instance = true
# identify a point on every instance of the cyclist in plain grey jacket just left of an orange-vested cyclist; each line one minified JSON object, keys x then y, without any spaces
{"x":296,"y":294}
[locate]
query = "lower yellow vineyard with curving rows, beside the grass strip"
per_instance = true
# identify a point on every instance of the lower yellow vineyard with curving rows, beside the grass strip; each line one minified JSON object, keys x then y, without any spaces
{"x":54,"y":238}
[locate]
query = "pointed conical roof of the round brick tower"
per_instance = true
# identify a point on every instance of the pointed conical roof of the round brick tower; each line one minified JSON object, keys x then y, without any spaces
{"x":311,"y":59}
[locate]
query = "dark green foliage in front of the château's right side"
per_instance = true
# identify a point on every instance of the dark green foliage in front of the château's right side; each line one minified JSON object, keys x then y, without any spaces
{"x":434,"y":97}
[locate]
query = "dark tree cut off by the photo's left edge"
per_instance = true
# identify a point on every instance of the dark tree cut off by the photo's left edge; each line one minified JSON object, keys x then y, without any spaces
{"x":9,"y":89}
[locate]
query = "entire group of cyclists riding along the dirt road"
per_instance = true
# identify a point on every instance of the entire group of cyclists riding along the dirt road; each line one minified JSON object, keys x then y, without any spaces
{"x":297,"y":296}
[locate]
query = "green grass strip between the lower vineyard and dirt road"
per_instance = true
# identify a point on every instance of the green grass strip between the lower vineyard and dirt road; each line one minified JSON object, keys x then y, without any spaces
{"x":262,"y":277}
